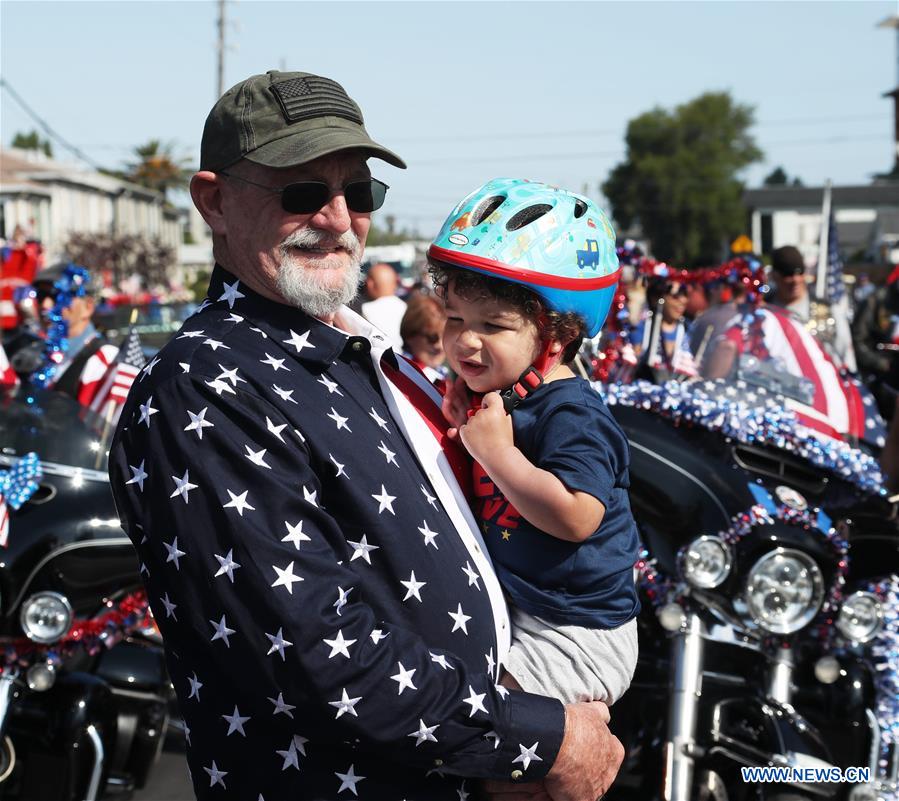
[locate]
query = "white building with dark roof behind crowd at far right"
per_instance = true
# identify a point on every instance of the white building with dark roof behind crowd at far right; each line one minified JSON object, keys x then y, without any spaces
{"x":867,"y":219}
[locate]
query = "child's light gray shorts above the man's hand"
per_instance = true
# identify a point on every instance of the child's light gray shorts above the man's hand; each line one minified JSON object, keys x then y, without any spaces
{"x":571,"y":663}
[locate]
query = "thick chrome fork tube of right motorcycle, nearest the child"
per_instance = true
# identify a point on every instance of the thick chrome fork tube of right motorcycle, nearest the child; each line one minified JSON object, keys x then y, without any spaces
{"x":687,"y":648}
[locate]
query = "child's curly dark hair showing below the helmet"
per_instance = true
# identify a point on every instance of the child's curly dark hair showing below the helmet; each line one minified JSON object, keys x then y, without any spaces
{"x":567,"y":327}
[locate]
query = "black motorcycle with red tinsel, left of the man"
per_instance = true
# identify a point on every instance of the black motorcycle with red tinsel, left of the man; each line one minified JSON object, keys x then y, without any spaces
{"x":84,"y":693}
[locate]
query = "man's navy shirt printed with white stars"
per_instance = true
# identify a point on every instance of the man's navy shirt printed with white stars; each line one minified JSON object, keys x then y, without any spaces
{"x":330,"y":631}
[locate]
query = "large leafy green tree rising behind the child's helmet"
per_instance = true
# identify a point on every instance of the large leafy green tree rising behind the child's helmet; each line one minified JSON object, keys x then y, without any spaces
{"x":679,"y":179}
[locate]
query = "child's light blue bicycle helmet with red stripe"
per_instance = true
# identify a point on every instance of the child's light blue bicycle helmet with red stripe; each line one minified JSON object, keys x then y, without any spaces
{"x":552,"y":241}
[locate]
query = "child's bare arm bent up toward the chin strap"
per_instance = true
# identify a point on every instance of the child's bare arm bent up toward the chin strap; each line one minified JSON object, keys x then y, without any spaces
{"x":537,"y":494}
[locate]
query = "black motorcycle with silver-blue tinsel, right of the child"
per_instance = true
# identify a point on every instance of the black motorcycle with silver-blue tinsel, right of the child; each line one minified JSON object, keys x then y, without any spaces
{"x":770,"y":630}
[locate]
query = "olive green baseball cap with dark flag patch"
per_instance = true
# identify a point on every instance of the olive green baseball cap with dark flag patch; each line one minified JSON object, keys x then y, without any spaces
{"x":282,"y":119}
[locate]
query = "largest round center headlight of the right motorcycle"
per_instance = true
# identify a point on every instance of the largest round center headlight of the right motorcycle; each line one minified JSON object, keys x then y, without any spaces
{"x":784,"y":590}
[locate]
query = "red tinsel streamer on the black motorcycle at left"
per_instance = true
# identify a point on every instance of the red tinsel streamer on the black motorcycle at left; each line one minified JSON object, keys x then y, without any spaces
{"x":120,"y":619}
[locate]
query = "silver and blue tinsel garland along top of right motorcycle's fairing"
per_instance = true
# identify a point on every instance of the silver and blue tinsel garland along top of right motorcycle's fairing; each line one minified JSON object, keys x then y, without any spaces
{"x":763,"y":422}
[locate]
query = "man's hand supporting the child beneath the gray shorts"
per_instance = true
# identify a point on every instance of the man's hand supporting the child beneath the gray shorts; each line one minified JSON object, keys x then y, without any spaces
{"x":589,"y":758}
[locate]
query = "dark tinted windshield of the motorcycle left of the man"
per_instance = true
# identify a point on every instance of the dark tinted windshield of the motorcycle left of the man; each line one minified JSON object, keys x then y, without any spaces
{"x":54,"y":426}
